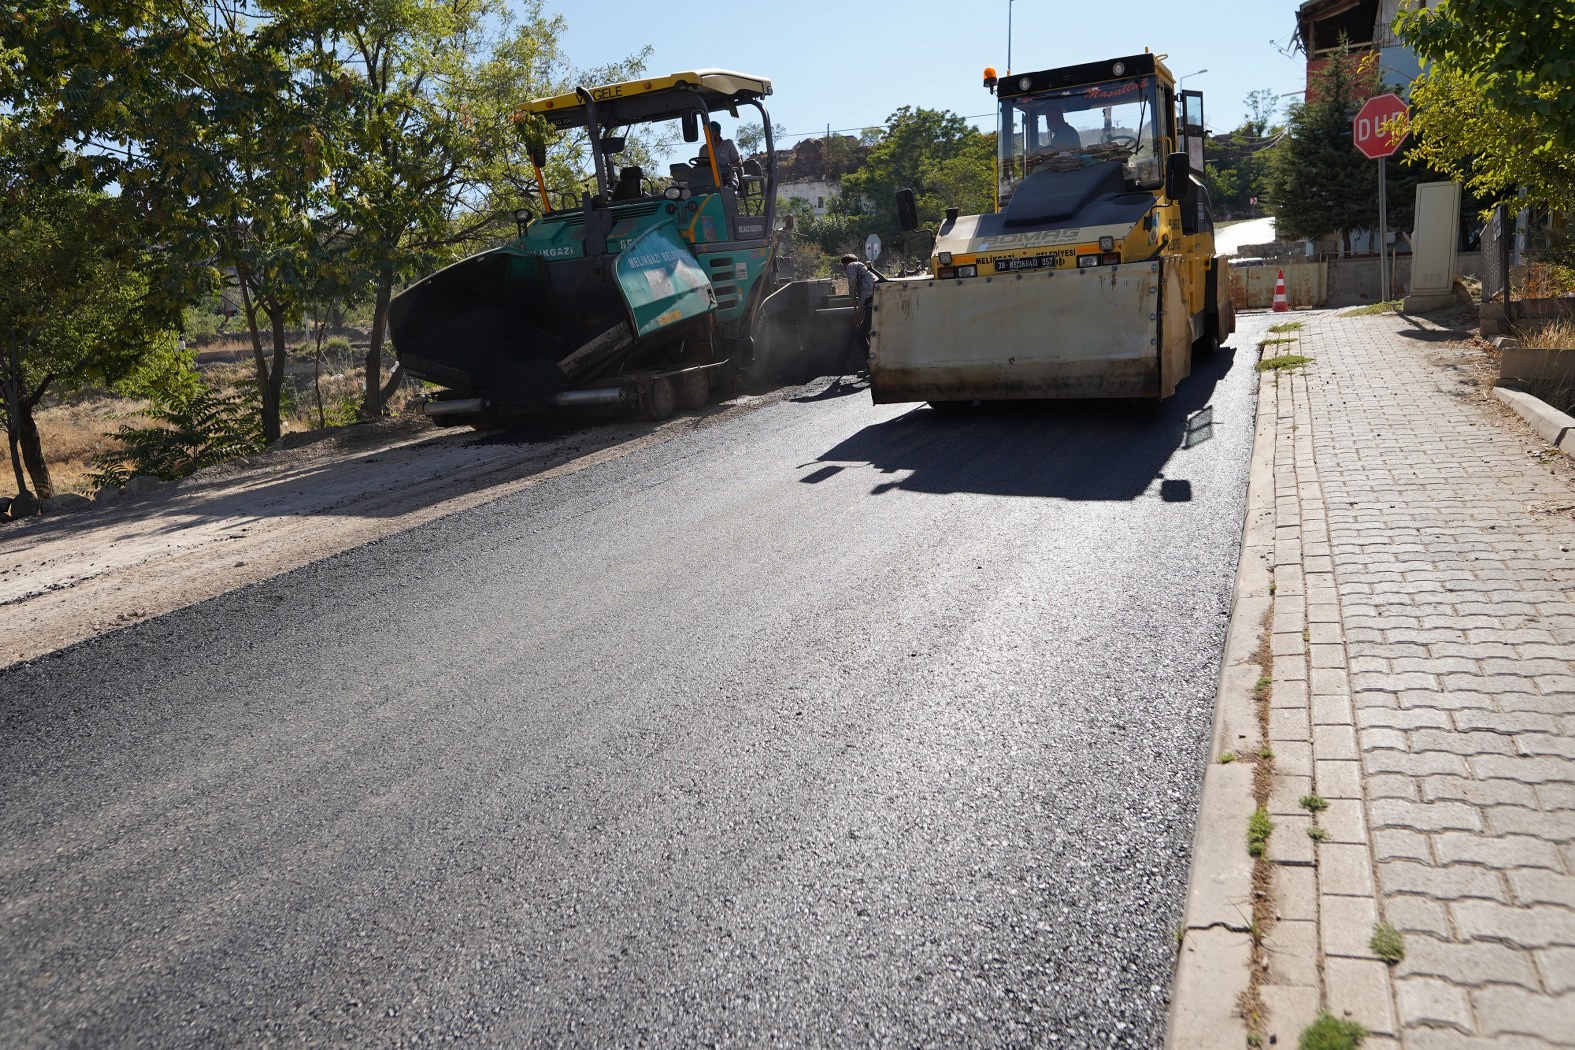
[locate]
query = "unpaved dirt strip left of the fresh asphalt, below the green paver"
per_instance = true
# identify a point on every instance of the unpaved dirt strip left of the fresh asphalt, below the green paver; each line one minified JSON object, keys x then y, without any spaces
{"x":70,"y":579}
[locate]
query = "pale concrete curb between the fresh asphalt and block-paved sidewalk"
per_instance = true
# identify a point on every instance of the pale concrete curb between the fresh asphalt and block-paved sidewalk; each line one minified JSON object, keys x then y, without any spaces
{"x":1217,"y":947}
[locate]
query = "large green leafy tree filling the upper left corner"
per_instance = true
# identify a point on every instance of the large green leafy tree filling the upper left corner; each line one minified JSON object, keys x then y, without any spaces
{"x":209,"y":120}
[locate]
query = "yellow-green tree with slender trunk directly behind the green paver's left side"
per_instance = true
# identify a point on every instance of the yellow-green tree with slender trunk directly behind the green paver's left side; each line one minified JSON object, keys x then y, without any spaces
{"x":434,"y":155}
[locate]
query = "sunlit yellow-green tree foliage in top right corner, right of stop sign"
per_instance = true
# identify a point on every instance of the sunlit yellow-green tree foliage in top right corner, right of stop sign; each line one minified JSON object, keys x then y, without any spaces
{"x":1495,"y":108}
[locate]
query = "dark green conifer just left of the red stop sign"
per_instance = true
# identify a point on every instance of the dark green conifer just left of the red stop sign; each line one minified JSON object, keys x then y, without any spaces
{"x":1319,"y":185}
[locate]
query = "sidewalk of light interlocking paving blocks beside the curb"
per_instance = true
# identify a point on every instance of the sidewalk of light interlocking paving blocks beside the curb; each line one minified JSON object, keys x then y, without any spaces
{"x":1425,"y":687}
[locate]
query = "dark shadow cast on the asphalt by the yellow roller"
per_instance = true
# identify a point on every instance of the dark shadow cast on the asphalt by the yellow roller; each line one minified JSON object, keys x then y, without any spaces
{"x":1102,"y":451}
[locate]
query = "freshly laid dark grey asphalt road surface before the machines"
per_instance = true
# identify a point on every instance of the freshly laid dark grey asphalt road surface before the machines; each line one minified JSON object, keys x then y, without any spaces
{"x":829,"y":725}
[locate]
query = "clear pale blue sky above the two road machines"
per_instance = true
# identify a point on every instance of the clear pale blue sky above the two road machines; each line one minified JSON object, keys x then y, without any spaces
{"x":848,"y":65}
